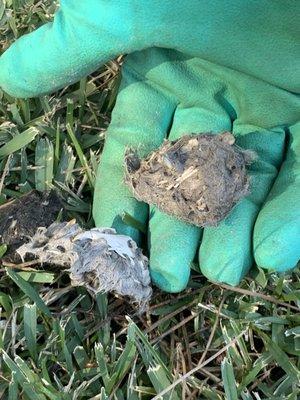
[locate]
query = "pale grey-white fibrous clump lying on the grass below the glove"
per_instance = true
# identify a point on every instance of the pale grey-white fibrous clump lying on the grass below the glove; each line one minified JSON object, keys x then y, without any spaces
{"x":98,"y":259}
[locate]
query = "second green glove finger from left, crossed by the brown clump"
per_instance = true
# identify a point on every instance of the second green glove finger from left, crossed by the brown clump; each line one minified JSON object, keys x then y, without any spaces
{"x":173,"y":243}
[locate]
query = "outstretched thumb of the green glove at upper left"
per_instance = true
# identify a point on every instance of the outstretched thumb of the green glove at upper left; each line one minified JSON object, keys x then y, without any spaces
{"x":76,"y":43}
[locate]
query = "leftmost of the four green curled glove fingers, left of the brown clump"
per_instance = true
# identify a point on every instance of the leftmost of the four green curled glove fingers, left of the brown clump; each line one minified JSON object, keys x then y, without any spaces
{"x":141,"y":119}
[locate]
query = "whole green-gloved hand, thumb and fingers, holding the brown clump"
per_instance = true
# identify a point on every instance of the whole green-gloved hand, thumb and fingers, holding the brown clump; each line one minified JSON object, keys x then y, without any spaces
{"x":196,"y":67}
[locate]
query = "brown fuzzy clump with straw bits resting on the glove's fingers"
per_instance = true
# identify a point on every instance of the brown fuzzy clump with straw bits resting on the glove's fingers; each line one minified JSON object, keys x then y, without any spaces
{"x":197,"y":178}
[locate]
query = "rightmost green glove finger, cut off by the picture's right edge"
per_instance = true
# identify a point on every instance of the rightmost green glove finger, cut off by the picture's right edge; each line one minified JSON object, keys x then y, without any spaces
{"x":277,"y":229}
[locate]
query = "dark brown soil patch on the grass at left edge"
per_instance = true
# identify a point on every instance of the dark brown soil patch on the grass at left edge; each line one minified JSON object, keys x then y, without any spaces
{"x":20,"y":218}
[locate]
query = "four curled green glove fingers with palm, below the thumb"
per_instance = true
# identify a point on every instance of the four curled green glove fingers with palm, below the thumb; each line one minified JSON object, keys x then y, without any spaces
{"x":165,"y":93}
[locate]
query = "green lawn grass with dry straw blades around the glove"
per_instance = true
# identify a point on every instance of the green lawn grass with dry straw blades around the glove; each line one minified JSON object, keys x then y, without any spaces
{"x":57,"y":342}
